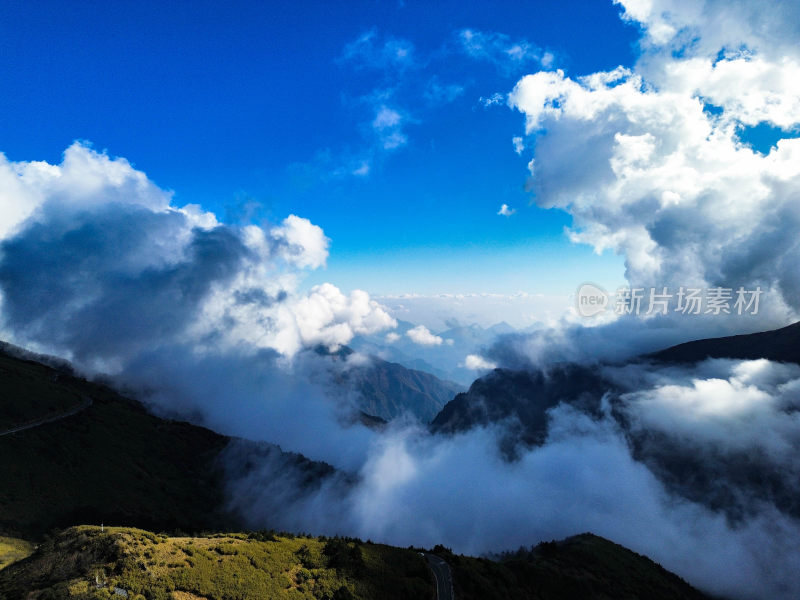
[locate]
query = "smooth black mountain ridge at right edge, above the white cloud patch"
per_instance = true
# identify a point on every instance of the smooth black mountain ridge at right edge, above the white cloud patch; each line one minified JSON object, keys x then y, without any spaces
{"x":781,"y":345}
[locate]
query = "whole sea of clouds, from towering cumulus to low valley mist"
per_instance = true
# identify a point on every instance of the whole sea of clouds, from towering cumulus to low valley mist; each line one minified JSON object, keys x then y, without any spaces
{"x":206,"y":320}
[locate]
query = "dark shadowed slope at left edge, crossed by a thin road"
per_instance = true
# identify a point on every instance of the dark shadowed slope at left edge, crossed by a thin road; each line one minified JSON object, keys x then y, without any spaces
{"x":110,"y":463}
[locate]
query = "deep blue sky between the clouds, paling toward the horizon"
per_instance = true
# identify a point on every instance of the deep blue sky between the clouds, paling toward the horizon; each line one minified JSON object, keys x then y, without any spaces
{"x":375,"y":120}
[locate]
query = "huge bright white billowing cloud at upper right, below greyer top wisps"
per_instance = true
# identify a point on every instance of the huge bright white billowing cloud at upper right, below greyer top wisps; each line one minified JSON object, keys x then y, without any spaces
{"x":647,"y":171}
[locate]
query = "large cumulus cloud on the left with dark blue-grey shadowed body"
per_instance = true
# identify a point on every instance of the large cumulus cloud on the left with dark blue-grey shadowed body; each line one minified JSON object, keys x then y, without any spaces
{"x":97,"y":264}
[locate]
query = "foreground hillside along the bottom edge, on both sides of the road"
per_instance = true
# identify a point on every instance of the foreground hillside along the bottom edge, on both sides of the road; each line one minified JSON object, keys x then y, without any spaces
{"x":87,"y":563}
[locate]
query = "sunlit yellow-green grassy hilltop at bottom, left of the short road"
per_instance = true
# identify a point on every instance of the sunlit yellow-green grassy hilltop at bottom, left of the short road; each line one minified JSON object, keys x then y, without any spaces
{"x":217,"y":567}
